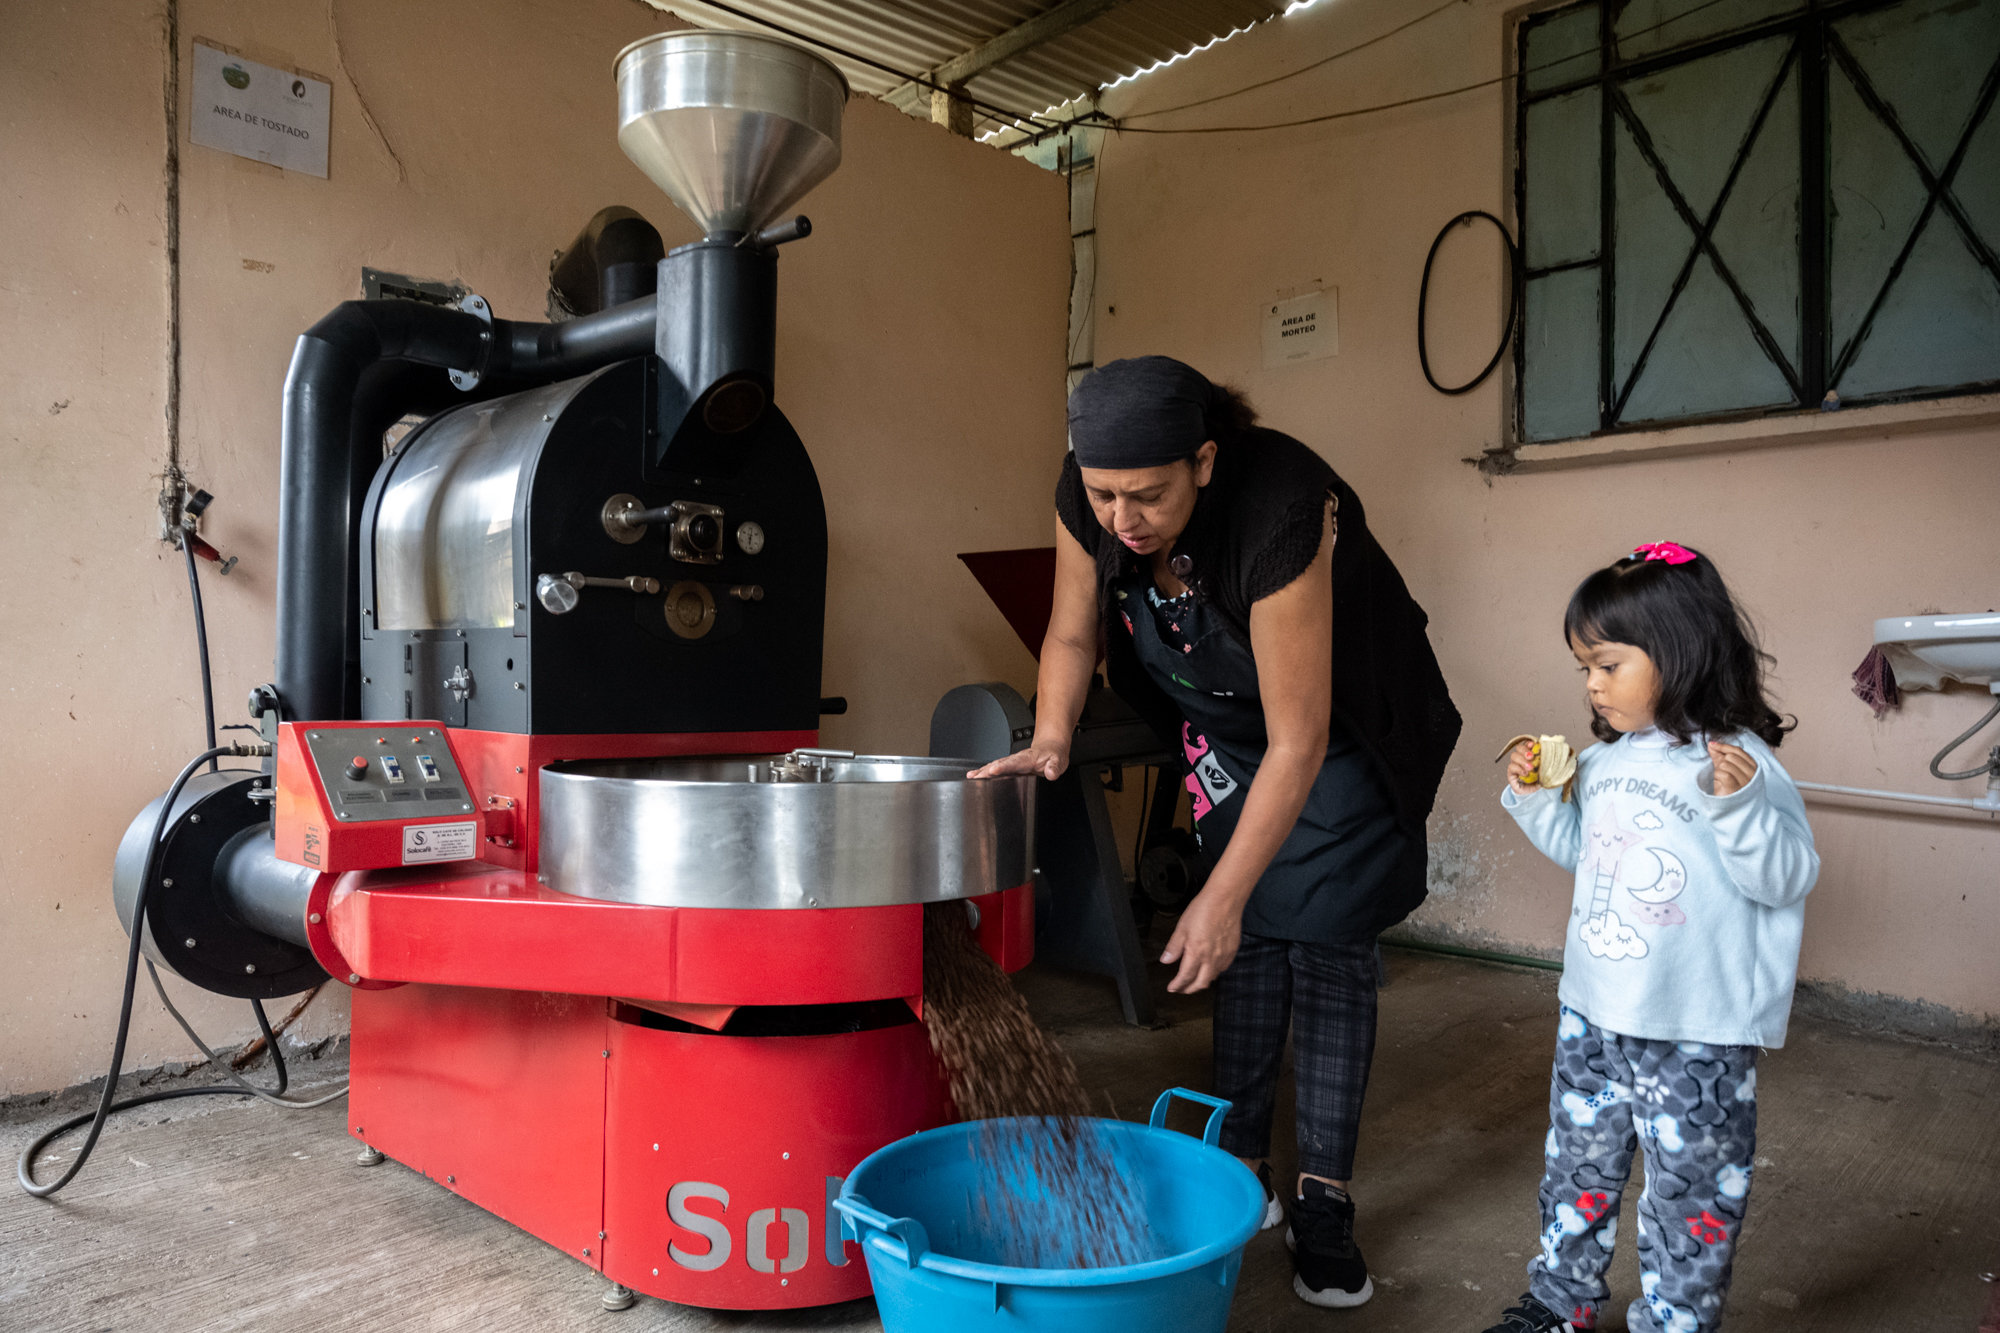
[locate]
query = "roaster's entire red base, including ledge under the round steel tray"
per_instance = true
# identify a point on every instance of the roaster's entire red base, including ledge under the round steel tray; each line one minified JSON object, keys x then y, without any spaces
{"x":693,"y":1166}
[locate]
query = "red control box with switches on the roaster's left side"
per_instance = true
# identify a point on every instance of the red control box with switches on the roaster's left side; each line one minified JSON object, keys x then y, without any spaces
{"x":373,"y":796}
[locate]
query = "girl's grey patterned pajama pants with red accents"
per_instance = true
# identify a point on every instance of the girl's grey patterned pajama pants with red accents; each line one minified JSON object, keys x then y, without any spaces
{"x":1693,"y":1108}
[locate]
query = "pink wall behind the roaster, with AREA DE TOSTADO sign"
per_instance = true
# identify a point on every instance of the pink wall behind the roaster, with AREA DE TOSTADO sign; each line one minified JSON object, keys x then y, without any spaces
{"x":921,"y":345}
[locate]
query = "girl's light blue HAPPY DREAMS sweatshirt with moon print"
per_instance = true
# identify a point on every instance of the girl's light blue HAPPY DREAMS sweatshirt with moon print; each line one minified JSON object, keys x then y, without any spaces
{"x":1689,"y":906}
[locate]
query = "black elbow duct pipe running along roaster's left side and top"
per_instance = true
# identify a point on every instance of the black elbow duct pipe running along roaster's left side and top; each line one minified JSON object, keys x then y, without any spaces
{"x":351,"y":379}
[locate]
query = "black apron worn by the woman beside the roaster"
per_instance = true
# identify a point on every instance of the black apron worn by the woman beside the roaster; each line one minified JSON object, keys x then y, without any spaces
{"x":1349,"y":870}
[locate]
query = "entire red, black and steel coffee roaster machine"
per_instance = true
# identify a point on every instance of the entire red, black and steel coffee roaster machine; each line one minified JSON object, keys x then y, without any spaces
{"x":635,"y":964}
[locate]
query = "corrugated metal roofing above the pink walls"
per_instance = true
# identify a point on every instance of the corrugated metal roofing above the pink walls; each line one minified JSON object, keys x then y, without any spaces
{"x":913,"y":37}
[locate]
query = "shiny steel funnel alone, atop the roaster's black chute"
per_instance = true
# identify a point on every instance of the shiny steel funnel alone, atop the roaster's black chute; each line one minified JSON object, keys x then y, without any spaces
{"x":735,"y":127}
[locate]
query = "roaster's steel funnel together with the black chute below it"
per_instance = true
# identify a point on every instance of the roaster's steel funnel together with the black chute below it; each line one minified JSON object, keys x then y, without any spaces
{"x":737,"y":129}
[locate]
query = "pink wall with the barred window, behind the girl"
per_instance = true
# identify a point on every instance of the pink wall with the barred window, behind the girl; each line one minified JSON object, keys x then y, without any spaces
{"x":1817,"y":537}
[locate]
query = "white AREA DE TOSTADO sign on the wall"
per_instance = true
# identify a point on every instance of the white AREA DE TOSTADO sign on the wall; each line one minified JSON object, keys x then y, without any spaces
{"x":259,"y":111}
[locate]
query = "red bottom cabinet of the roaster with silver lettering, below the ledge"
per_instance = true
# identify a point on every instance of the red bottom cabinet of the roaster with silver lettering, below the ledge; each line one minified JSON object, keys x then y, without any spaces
{"x":689,"y":1166}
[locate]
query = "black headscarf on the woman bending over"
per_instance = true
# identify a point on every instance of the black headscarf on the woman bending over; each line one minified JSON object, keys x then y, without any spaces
{"x":1141,"y":413}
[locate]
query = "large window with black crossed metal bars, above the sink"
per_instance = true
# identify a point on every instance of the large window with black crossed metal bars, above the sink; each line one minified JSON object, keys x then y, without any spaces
{"x":1747,"y":207}
